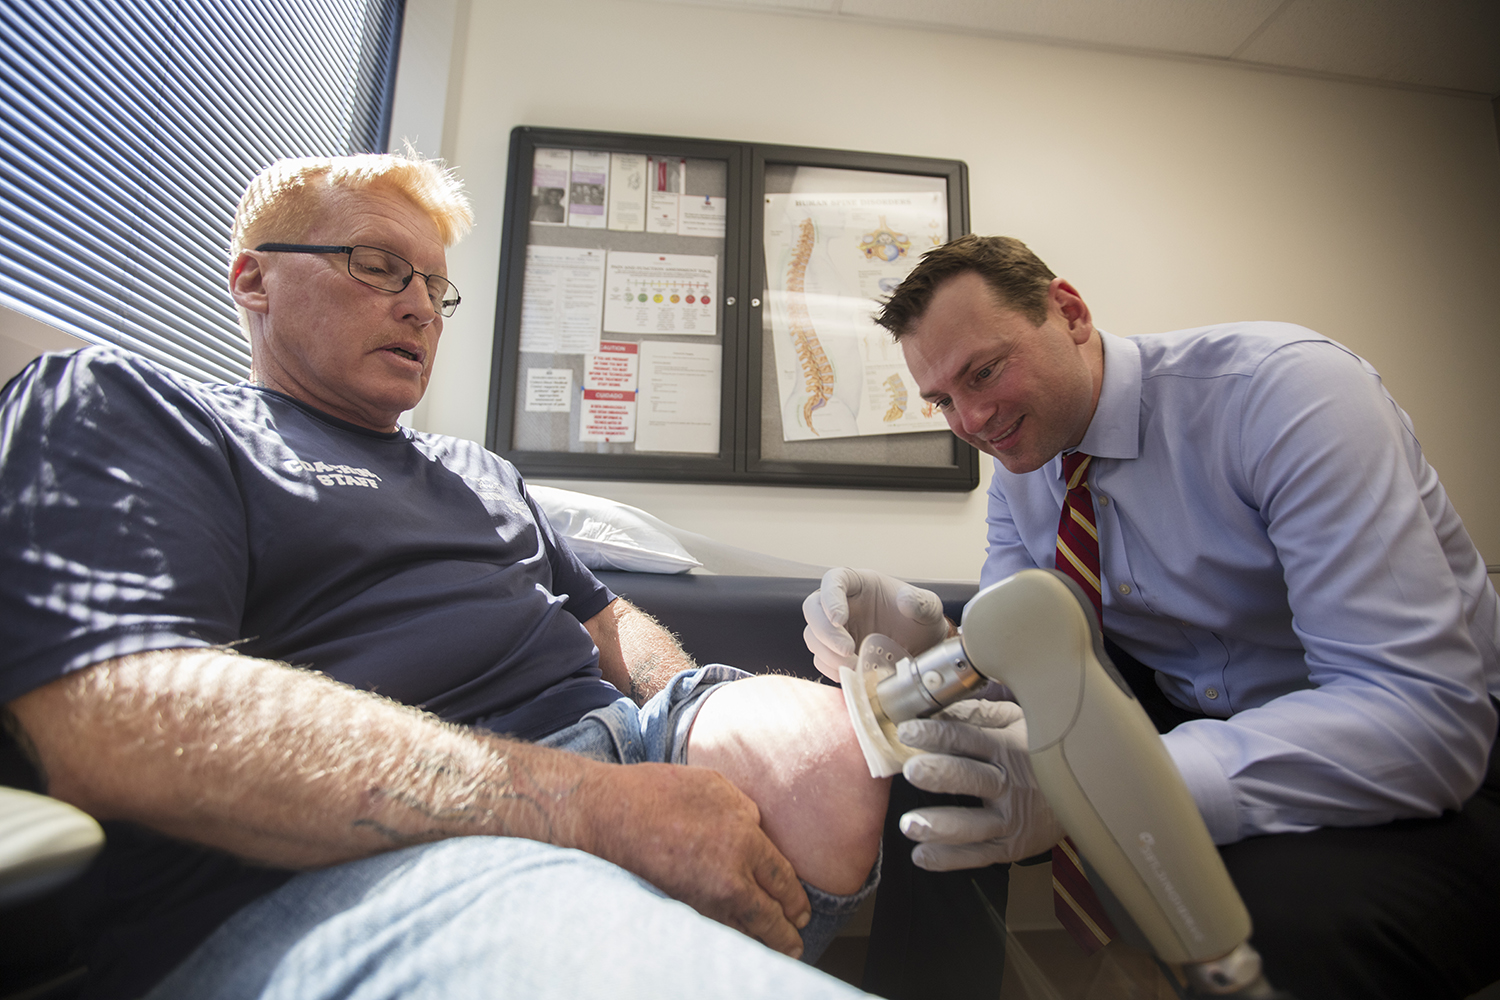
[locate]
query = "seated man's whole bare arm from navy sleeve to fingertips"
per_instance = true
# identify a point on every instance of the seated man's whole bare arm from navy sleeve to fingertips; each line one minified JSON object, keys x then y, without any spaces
{"x":194,"y":741}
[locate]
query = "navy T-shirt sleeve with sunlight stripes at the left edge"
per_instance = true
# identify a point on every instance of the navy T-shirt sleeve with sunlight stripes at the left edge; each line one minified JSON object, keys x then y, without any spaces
{"x":121,"y":525}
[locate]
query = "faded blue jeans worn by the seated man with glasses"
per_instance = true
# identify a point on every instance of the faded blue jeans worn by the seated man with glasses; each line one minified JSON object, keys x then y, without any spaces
{"x":481,"y":917}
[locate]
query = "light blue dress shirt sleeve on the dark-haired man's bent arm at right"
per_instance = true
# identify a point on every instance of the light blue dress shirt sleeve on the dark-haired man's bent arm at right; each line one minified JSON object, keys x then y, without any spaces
{"x":1397,"y":722}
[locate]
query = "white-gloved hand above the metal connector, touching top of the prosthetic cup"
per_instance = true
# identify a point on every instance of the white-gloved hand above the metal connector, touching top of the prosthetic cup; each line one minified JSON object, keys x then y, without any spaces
{"x":854,"y":603}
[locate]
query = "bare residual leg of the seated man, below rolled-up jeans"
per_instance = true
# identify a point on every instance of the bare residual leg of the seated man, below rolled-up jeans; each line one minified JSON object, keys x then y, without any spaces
{"x":790,"y":746}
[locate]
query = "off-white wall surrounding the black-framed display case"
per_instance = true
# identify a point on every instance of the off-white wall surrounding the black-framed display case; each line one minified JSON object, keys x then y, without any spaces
{"x":1172,"y":194}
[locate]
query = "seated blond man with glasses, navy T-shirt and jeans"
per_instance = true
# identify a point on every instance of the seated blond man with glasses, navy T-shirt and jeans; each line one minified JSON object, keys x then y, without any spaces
{"x":220,"y":605}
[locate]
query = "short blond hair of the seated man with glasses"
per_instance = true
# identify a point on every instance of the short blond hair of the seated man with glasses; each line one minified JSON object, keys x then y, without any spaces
{"x":284,"y":199}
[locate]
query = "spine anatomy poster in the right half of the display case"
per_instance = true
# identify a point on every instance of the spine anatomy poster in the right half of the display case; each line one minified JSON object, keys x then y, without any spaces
{"x":830,"y":260}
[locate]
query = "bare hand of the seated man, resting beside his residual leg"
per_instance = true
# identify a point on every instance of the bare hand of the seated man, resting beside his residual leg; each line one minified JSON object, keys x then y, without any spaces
{"x":697,"y":837}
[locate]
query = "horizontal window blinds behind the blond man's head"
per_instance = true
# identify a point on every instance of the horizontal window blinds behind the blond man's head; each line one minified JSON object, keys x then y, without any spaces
{"x":130,"y":130}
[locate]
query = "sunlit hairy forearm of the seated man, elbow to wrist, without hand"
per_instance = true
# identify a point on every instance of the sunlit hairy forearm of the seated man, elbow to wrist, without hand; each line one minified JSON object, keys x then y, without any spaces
{"x":281,"y":765}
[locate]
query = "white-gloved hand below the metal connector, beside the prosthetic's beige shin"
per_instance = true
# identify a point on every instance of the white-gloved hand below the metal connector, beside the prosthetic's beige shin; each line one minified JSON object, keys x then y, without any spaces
{"x":977,"y":749}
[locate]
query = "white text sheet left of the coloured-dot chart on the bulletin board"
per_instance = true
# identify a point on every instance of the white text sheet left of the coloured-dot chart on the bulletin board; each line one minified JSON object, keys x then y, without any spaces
{"x":565,"y":292}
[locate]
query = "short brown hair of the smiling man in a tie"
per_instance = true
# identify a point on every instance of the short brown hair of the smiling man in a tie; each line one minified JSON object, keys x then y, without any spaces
{"x":1006,"y":265}
